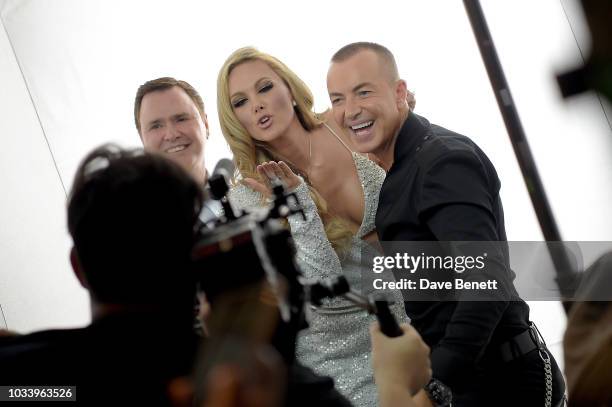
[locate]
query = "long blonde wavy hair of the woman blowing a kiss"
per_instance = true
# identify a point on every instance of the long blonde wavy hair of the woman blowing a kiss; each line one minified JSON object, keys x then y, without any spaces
{"x":248,"y":153}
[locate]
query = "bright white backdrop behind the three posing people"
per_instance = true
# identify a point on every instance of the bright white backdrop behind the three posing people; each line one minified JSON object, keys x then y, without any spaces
{"x":69,"y":70}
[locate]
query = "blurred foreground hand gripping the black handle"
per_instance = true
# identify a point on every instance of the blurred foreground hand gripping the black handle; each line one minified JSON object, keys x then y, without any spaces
{"x":401,"y":362}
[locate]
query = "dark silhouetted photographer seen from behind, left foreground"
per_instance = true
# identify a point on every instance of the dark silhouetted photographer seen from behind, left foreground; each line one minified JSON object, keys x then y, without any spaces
{"x":131,"y":217}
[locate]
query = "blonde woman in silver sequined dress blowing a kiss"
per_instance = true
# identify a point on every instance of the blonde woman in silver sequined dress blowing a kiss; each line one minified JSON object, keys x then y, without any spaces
{"x":266,"y":116}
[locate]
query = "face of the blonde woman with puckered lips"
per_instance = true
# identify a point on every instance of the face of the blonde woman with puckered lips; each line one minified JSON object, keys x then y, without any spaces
{"x":261,"y":101}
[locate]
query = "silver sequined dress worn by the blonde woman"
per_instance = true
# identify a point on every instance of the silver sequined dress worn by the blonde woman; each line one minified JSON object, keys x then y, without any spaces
{"x":337,"y":343}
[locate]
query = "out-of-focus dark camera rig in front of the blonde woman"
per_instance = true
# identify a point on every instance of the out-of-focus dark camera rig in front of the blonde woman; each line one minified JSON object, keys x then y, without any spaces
{"x":237,"y":255}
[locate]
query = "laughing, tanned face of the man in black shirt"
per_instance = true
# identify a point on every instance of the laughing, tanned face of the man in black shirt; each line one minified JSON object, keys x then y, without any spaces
{"x":366,"y":100}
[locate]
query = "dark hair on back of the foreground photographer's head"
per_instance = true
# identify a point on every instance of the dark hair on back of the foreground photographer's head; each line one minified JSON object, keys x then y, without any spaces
{"x":131,"y":216}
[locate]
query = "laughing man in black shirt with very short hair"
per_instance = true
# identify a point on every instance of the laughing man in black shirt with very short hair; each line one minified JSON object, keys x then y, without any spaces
{"x":441,"y":187}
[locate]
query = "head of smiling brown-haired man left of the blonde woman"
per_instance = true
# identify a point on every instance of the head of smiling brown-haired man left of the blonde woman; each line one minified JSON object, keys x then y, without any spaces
{"x":170,"y":118}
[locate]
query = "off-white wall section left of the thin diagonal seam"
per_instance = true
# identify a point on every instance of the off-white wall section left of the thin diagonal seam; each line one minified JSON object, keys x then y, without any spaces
{"x":36,"y":287}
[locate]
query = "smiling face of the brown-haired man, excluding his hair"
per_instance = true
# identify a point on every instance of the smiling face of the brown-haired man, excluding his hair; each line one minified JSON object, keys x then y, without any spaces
{"x":170,"y":124}
